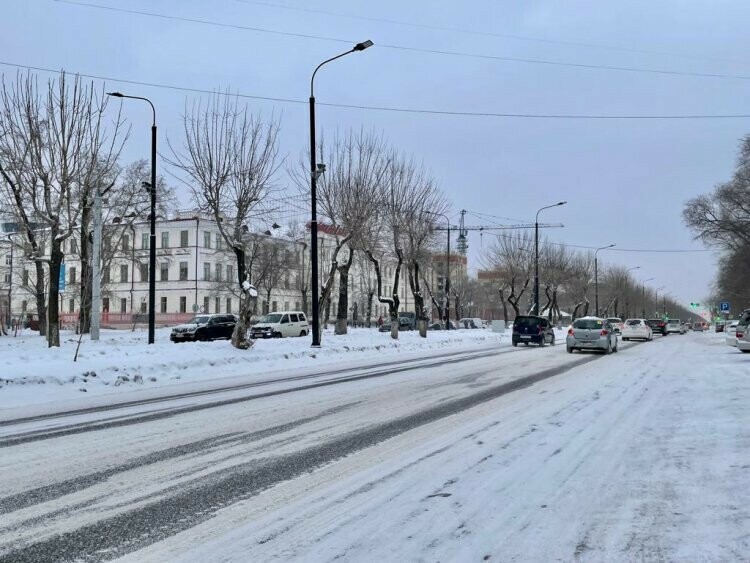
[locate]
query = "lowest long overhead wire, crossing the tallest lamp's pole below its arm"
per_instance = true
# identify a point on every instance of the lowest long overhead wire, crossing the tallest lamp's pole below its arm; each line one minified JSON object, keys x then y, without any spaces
{"x":383,"y":108}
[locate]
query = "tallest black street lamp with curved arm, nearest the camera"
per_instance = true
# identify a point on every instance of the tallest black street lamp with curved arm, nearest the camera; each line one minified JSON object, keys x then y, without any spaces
{"x":315,"y":171}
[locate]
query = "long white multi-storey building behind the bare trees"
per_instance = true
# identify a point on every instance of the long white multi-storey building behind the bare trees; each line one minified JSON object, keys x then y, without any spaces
{"x":195,"y":272}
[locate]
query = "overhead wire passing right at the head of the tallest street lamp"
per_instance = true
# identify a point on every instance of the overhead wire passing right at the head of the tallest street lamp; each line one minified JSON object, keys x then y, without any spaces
{"x":408,"y":48}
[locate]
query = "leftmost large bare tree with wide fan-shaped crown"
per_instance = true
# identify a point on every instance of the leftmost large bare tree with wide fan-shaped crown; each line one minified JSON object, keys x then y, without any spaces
{"x":55,"y":150}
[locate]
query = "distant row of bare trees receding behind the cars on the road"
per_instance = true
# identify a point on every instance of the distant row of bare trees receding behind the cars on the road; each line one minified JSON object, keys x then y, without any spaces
{"x":566,"y":282}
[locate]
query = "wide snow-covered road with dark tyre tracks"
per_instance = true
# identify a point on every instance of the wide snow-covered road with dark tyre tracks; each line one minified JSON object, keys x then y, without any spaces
{"x":507,"y":454}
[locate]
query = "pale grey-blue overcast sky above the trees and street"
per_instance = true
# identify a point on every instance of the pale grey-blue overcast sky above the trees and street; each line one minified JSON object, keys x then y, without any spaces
{"x":625,"y":180}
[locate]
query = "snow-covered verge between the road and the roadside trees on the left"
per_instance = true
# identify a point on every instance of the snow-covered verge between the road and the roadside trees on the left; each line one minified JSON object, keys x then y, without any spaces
{"x":121,"y":361}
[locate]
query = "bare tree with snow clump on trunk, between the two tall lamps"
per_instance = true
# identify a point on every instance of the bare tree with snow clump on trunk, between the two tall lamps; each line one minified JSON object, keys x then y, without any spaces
{"x":230,"y":158}
